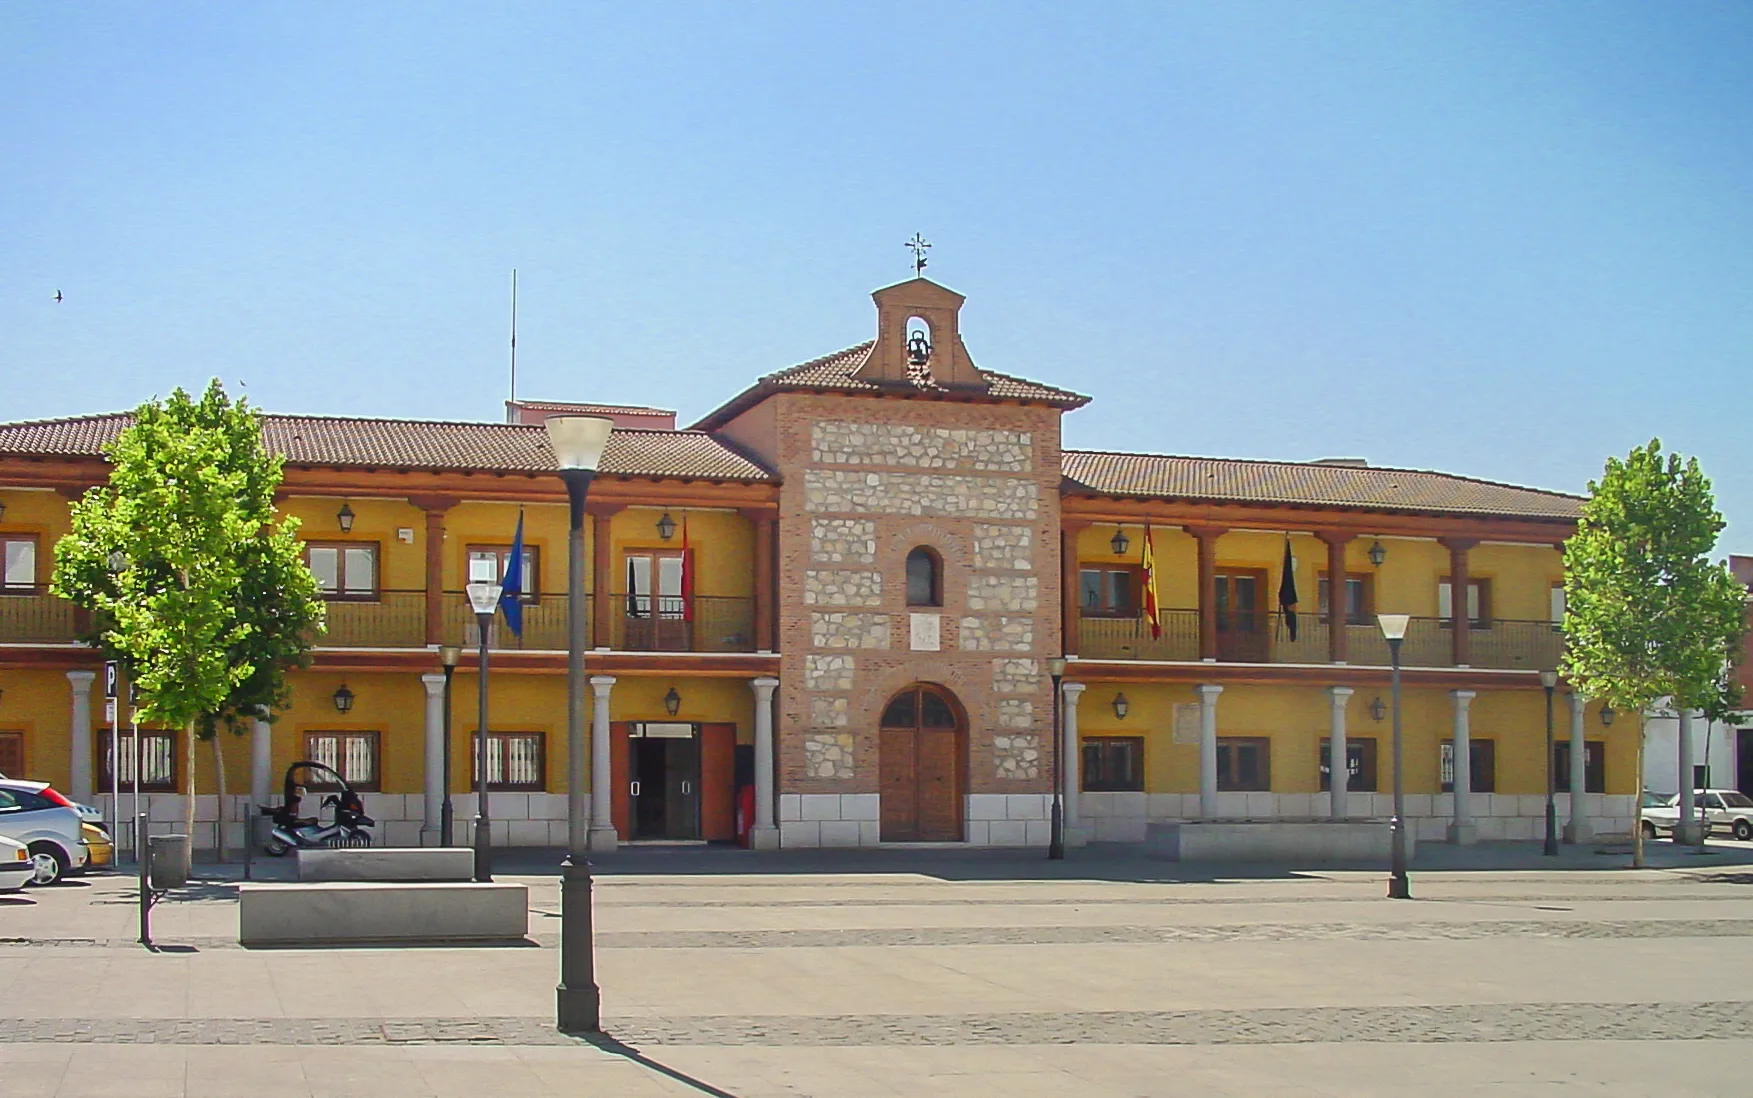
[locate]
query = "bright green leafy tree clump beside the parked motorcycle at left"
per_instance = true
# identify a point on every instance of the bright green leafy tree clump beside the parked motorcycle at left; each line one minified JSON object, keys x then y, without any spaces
{"x":194,"y":581}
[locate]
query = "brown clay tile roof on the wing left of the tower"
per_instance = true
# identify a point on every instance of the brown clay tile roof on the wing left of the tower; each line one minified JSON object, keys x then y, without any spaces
{"x":422,"y":445}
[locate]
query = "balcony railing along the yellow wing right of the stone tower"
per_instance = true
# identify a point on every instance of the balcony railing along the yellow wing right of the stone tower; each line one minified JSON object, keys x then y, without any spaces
{"x":1267,"y":638}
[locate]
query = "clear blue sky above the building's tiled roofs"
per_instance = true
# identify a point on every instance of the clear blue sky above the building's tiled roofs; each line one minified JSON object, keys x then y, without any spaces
{"x":1498,"y":239}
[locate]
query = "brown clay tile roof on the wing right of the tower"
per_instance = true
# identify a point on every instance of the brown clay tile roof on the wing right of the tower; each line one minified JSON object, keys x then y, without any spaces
{"x":1310,"y":485}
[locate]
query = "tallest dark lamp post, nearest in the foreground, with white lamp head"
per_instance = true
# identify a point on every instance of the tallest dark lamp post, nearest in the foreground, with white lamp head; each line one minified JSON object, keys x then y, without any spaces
{"x":578,"y":445}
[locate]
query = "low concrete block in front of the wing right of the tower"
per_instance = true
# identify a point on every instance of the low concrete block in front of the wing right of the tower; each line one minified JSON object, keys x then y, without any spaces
{"x":1281,"y":841}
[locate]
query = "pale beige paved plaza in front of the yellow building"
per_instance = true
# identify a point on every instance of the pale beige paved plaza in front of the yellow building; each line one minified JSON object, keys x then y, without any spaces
{"x":921,"y":973}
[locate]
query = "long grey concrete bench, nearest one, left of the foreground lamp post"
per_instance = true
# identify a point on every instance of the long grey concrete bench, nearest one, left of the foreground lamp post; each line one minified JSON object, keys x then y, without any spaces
{"x":353,"y":913}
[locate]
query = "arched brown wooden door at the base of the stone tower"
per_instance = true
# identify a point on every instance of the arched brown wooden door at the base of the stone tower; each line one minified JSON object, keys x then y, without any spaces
{"x":925,"y":741}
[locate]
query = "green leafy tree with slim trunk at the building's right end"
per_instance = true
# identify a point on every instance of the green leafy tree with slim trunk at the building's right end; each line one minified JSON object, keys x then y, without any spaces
{"x":1647,"y":615}
